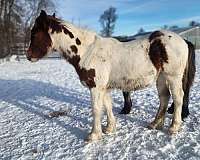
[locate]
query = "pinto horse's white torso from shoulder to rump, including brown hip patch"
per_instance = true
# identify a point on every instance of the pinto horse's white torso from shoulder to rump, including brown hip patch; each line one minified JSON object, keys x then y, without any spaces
{"x":136,"y":64}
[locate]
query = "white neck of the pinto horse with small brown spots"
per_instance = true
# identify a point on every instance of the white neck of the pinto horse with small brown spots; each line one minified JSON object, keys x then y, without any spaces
{"x":77,"y":44}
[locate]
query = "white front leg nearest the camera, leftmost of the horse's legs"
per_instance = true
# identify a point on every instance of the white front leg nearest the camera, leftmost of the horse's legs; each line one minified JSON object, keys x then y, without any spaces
{"x":97,"y":105}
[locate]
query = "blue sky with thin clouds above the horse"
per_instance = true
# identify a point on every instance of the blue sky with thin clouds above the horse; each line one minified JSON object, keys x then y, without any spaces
{"x":132,"y":14}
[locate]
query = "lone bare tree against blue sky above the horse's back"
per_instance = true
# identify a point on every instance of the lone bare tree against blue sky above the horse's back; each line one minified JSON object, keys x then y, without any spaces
{"x":108,"y":20}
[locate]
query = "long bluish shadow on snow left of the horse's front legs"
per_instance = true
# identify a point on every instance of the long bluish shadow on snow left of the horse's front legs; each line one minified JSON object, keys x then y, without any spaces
{"x":25,"y":94}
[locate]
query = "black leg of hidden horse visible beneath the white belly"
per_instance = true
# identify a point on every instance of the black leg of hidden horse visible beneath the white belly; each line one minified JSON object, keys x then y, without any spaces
{"x":127,"y":103}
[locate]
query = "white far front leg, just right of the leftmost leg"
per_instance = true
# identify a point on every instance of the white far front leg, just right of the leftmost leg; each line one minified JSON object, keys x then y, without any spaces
{"x":111,"y":122}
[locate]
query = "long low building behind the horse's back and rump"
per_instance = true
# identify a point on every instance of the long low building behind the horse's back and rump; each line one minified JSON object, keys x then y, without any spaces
{"x":189,"y":33}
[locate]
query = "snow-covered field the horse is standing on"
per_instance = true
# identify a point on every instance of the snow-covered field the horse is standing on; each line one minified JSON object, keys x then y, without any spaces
{"x":30,"y":93}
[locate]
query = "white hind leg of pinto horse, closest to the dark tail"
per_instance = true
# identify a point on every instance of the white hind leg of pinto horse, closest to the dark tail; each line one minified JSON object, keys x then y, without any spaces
{"x":177,"y":96}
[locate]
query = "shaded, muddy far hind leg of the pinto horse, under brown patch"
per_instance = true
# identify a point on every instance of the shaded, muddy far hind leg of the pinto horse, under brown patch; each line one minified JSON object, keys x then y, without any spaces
{"x":164,"y":96}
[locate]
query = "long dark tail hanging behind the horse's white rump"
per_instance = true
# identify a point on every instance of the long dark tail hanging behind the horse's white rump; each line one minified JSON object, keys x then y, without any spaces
{"x":188,"y":78}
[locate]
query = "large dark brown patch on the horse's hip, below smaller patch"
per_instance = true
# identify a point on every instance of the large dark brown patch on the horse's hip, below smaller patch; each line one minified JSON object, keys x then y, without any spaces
{"x":158,"y":54}
